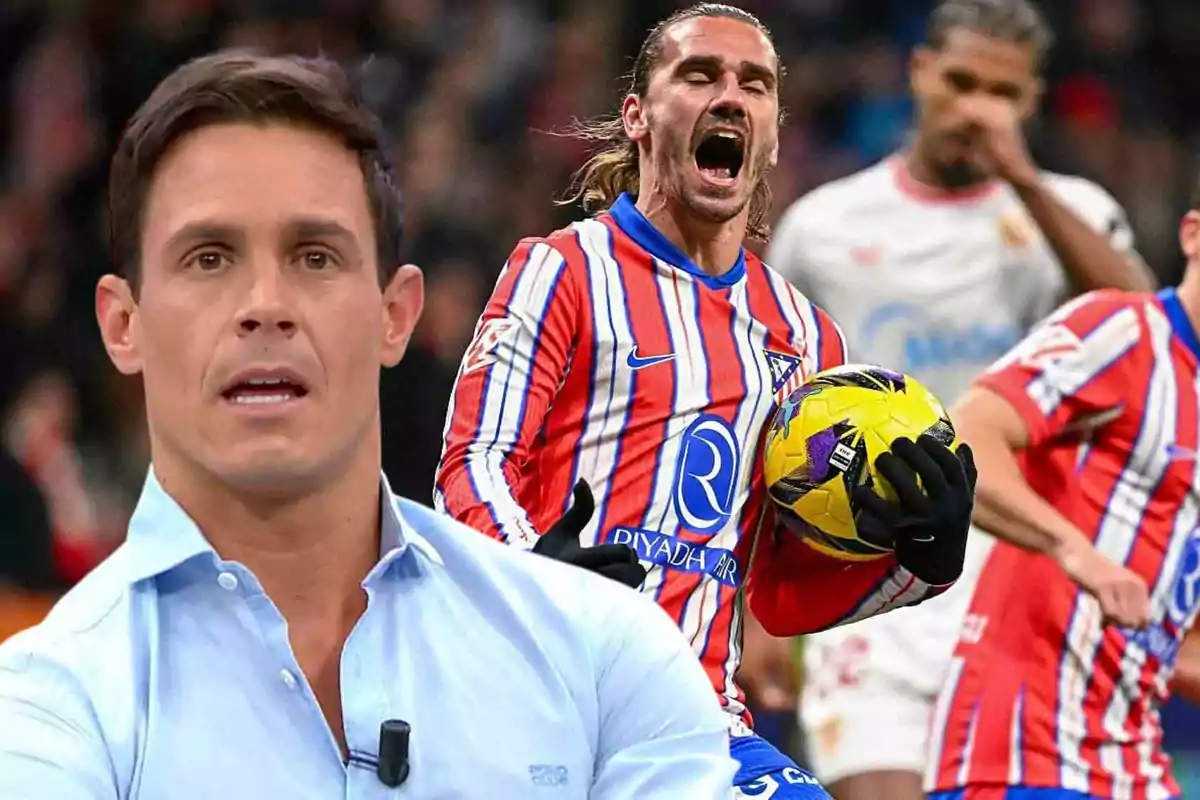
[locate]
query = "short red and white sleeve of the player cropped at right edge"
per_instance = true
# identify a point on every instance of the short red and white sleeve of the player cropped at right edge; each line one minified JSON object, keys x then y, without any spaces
{"x":1076,"y":369}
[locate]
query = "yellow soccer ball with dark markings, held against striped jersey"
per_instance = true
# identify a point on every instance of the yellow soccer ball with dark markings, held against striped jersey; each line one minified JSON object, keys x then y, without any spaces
{"x":824,"y":443}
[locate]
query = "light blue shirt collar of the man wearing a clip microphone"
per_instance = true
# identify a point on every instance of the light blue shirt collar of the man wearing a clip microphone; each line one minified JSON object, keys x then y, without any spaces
{"x":163,"y":537}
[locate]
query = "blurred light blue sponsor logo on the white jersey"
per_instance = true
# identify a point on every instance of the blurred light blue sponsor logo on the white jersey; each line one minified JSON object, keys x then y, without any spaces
{"x":929,"y":344}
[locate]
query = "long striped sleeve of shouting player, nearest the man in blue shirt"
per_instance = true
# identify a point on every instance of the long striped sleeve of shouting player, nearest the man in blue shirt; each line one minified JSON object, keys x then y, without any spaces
{"x":508,"y":380}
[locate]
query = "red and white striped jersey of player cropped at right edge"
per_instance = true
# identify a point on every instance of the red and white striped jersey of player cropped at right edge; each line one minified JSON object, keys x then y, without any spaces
{"x":1040,"y":693}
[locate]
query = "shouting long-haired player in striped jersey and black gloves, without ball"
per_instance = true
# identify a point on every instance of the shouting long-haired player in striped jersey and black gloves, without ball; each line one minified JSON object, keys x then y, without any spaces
{"x":644,"y":352}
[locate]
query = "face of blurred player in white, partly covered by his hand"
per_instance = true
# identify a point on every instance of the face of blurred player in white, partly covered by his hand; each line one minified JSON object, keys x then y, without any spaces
{"x":968,"y":65}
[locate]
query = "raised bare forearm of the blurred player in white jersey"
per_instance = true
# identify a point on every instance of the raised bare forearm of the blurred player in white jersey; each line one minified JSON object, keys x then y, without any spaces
{"x":1089,"y":257}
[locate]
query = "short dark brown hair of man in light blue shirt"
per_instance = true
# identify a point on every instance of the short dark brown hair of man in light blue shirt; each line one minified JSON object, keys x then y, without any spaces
{"x":248,"y":87}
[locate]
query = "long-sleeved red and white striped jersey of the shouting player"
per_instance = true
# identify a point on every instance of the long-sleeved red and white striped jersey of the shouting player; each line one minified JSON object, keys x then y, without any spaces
{"x":607,"y":354}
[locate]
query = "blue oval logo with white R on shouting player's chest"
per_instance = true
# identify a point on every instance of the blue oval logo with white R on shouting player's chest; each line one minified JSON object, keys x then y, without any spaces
{"x":706,"y":474}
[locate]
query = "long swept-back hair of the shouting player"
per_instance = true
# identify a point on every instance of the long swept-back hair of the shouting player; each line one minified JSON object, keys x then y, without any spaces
{"x":615,"y":169}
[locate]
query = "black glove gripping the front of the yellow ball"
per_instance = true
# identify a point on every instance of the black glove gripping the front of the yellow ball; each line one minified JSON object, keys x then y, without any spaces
{"x":928,"y":530}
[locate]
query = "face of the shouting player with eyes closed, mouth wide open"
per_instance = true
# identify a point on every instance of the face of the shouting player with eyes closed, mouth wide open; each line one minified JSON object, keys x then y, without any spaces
{"x":710,"y":118}
